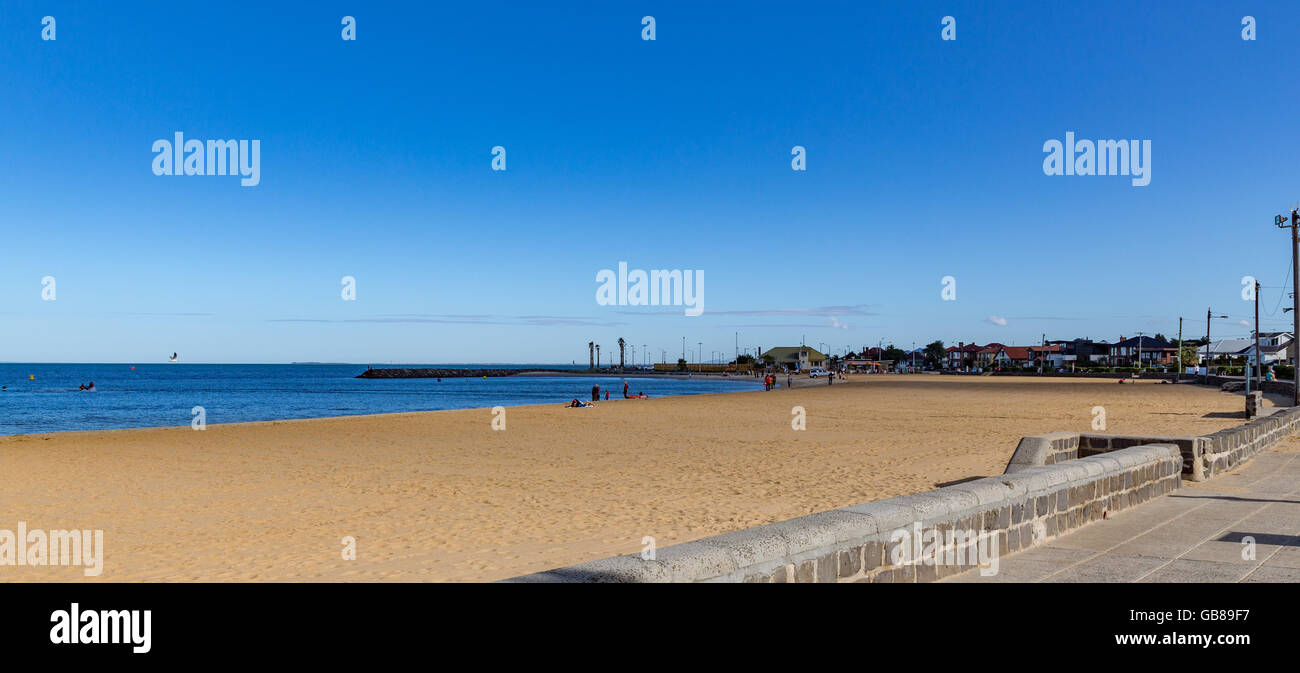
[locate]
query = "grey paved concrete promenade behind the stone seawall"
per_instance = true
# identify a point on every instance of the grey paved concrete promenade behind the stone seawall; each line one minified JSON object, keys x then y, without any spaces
{"x":1194,"y":535}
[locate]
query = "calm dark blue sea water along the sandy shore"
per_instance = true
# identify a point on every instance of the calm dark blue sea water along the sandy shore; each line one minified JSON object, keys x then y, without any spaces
{"x":164,"y":394}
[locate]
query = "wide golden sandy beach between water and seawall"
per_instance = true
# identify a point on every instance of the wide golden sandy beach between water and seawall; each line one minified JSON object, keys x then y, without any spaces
{"x":443,"y":497}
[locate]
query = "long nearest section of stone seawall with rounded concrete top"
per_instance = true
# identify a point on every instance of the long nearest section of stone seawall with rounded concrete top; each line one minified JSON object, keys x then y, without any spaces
{"x":861,"y":544}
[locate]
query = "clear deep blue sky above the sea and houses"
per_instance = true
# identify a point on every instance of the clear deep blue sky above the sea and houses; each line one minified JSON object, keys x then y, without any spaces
{"x":925,"y":159}
